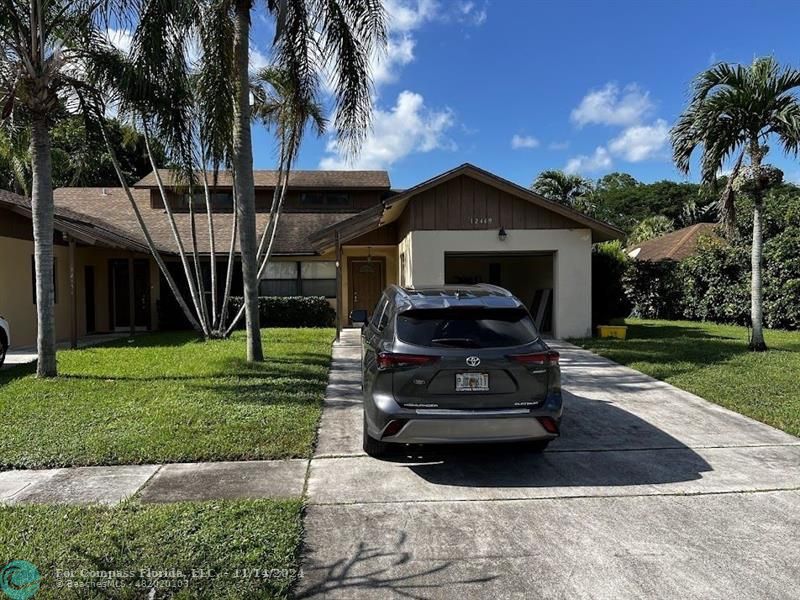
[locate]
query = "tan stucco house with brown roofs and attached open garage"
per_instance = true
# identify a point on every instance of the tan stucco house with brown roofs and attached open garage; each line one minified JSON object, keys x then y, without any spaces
{"x":344,"y":234}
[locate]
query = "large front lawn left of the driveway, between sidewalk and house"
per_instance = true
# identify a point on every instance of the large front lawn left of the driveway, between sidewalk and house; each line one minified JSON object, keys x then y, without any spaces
{"x":167,"y":397}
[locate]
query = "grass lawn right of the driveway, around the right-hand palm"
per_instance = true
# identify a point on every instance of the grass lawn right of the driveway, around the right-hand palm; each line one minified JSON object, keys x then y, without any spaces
{"x":713,"y":362}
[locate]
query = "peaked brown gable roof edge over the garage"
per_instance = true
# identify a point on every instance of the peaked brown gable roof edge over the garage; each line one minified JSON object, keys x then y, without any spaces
{"x":392,"y":207}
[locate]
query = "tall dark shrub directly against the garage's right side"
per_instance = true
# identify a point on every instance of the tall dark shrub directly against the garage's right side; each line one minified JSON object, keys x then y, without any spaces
{"x":609,"y":263}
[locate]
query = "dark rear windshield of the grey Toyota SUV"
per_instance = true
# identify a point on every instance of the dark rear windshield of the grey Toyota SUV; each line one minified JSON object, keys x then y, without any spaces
{"x":466,"y":327}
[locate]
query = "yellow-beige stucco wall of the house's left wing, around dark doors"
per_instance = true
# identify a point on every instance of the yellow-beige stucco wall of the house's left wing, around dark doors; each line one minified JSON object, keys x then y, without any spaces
{"x":16,"y":291}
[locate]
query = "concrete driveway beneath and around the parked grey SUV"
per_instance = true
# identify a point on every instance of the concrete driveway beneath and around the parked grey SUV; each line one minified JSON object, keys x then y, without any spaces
{"x":651,"y":492}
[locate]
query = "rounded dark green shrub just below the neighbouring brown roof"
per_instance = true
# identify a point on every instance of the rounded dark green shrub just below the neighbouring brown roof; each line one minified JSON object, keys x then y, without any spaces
{"x":653,"y":289}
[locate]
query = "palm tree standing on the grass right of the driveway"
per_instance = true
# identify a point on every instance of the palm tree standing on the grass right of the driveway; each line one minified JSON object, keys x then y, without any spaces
{"x":734,"y":111}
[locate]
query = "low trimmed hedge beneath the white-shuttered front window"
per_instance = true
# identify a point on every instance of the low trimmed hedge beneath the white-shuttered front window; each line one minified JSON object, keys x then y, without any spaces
{"x":289,"y":311}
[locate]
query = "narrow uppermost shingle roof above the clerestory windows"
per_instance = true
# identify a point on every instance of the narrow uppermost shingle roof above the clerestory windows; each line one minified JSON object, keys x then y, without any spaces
{"x":297,"y":179}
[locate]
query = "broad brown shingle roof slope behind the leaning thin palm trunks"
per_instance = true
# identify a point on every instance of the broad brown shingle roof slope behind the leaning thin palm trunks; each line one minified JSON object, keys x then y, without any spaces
{"x":112,"y":206}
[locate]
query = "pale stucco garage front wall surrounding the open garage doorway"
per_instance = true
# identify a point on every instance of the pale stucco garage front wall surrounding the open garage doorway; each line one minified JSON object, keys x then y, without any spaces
{"x":572,"y":269}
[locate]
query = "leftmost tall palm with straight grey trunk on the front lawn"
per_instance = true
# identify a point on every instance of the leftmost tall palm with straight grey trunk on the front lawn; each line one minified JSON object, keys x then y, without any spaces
{"x":43,"y":45}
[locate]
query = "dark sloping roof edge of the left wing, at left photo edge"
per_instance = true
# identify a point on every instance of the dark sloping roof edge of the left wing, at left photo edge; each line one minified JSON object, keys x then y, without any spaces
{"x":89,"y":229}
